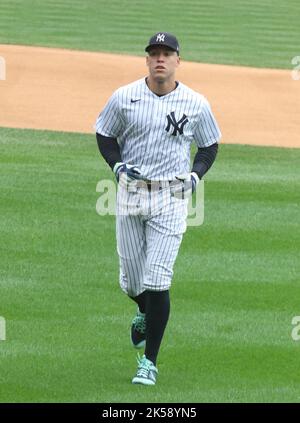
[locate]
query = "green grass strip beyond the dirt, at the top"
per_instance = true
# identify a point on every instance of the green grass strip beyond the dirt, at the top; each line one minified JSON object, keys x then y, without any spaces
{"x":261,"y":33}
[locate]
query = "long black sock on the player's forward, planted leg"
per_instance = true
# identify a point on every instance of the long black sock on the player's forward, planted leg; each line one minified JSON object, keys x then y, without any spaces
{"x":157,"y":315}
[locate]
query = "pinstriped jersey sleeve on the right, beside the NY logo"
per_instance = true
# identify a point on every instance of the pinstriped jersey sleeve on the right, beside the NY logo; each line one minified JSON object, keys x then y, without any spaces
{"x":206,"y":131}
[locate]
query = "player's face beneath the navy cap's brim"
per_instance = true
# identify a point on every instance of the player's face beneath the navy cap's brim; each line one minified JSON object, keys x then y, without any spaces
{"x":162,"y":63}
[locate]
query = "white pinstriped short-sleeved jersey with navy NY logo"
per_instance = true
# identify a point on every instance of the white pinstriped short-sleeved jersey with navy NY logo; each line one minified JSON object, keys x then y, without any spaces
{"x":156,"y":132}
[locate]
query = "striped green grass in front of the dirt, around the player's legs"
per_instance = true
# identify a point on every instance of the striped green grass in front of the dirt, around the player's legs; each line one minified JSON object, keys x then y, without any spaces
{"x":235,"y":288}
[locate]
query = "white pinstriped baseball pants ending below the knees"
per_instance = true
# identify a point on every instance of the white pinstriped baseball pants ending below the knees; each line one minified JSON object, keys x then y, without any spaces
{"x":149,"y":228}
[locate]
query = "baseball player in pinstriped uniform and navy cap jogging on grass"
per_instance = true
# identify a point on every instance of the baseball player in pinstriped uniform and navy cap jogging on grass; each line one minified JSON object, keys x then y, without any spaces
{"x":144,"y":133}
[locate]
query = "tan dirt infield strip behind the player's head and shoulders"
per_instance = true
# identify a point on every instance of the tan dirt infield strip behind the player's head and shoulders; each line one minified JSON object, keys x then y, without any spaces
{"x":64,"y":90}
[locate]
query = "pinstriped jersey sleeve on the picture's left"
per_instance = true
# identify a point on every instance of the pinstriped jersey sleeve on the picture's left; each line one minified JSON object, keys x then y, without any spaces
{"x":110,"y":121}
